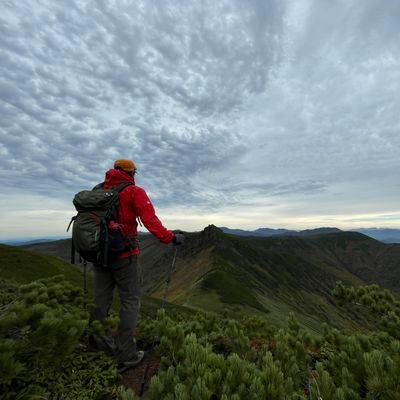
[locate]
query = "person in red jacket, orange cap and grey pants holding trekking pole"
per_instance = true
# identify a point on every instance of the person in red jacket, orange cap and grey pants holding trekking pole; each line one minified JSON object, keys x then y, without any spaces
{"x":123,"y":270}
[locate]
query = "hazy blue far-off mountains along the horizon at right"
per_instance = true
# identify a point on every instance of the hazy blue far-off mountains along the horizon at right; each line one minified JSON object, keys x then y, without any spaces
{"x":381,"y":234}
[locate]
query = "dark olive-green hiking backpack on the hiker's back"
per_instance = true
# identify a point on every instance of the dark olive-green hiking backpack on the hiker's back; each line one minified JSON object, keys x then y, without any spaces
{"x":96,"y":234}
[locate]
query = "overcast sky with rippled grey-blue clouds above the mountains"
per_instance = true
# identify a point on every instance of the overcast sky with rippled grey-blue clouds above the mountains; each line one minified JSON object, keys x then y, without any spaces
{"x":246,"y":114}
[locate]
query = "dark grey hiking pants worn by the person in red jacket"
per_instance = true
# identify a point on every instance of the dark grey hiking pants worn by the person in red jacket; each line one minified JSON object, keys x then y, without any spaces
{"x":126,"y":275}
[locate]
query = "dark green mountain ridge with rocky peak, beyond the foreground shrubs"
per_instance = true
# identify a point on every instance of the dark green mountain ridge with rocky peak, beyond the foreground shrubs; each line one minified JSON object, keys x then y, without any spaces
{"x":271,"y":275}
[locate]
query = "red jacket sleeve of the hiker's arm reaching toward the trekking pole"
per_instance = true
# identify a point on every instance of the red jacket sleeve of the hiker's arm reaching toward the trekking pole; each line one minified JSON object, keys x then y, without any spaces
{"x":145,"y":211}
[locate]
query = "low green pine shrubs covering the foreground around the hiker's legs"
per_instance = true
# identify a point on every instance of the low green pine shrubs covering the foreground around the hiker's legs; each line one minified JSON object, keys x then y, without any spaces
{"x":203,"y":356}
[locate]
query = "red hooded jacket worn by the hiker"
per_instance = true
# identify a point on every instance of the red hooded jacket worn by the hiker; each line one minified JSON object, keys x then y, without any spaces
{"x":133,"y":204}
